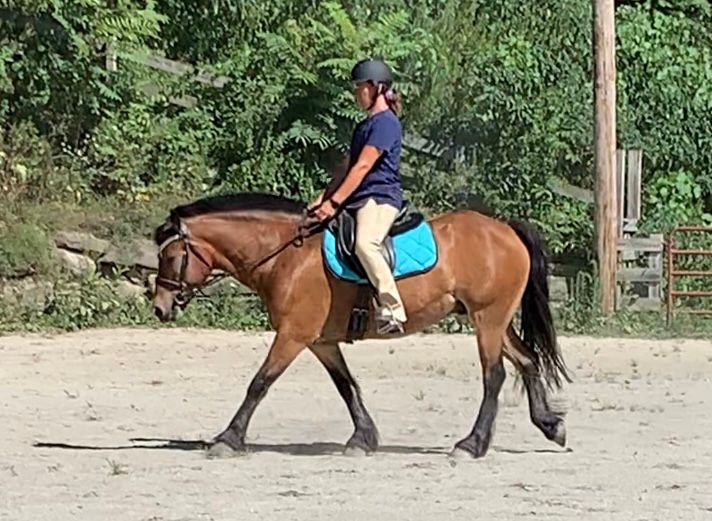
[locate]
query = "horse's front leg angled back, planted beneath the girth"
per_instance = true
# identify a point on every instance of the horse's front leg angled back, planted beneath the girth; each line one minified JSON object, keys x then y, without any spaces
{"x":365,"y":436}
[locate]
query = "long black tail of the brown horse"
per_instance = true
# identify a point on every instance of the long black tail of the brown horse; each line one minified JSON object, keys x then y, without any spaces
{"x":538,"y":333}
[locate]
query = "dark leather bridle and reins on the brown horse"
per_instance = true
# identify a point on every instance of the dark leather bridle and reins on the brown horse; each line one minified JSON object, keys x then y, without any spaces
{"x":186,"y":292}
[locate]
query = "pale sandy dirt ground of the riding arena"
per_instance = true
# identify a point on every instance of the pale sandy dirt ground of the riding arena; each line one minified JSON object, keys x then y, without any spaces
{"x":117,"y":402}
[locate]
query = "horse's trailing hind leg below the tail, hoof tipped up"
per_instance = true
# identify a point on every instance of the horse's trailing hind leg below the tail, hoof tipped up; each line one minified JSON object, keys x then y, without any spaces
{"x":550,"y":422}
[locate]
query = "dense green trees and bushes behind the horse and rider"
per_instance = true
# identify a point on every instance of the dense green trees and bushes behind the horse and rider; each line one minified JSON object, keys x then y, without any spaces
{"x":508,"y":84}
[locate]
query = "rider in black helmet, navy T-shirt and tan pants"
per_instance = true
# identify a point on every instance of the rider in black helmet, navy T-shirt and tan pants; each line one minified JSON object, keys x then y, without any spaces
{"x":372,"y":185}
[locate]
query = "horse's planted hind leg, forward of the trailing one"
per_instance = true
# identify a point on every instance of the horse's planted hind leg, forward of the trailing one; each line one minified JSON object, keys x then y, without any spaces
{"x":490,"y":339}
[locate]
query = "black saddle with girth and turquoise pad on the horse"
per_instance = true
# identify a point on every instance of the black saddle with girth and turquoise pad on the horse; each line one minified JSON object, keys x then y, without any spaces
{"x":409,"y":248}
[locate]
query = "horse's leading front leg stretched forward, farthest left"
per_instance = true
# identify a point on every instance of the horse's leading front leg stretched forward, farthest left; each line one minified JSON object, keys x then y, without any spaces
{"x":282,"y":353}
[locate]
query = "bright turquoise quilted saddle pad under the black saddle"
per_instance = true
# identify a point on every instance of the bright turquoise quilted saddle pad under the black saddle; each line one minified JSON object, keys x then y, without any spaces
{"x":415,"y":252}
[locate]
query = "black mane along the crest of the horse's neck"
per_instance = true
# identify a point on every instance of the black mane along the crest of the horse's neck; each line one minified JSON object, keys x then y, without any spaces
{"x":234,"y":202}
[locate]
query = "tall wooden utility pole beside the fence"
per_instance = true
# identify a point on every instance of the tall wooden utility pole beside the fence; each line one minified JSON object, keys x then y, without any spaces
{"x":604,"y":50}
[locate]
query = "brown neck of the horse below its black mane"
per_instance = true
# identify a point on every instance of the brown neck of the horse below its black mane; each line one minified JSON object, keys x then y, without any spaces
{"x":249,"y":245}
